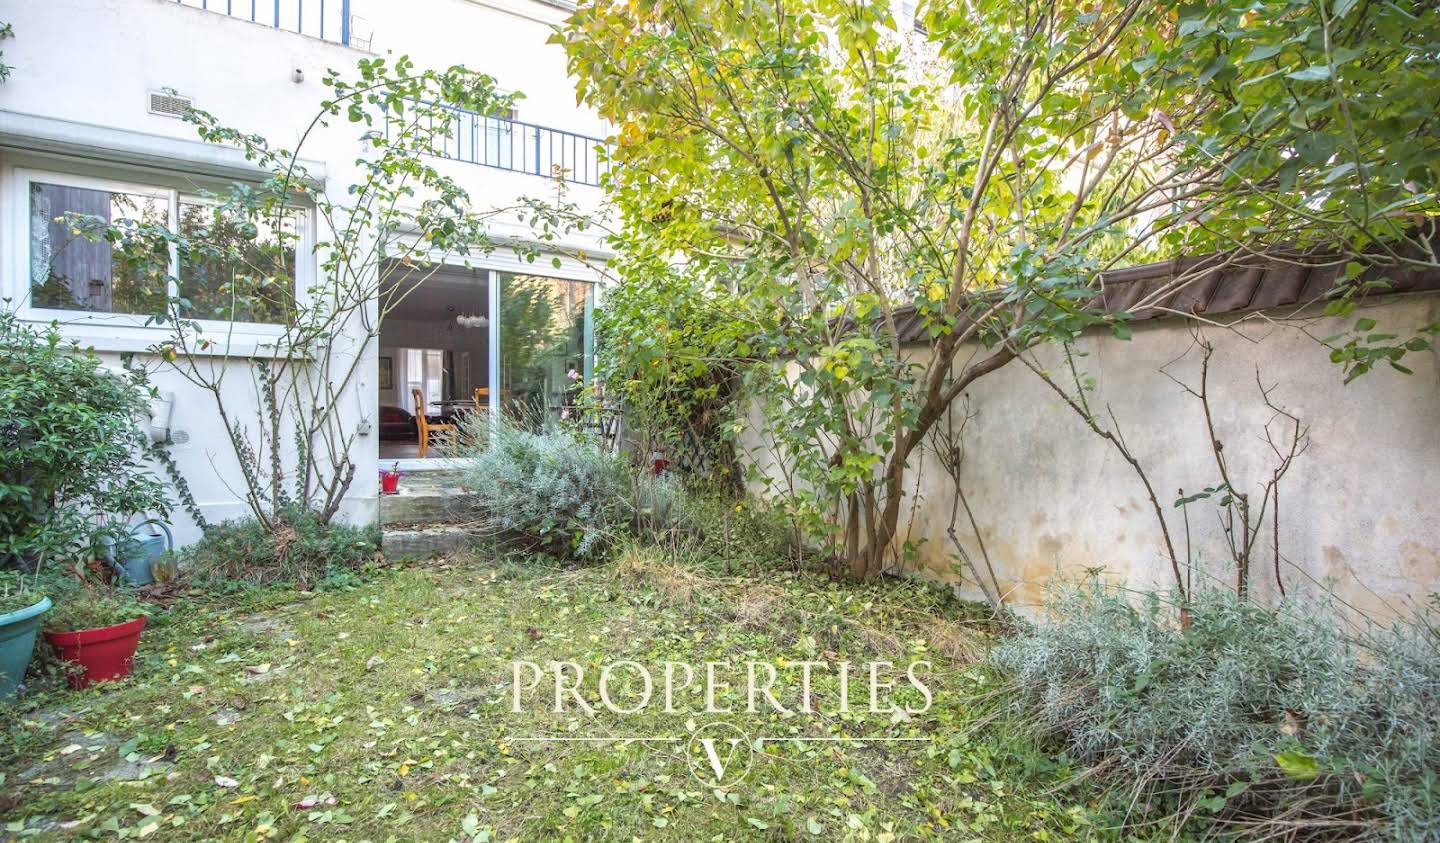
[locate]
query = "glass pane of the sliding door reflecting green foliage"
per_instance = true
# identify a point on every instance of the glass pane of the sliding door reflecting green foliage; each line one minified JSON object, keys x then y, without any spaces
{"x":542,"y":344}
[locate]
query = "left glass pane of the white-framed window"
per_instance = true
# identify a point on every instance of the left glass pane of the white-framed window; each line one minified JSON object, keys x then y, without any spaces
{"x":71,"y":273}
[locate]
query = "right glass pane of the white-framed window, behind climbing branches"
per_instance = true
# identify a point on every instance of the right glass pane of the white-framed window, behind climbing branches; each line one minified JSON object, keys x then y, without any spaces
{"x":237,"y":270}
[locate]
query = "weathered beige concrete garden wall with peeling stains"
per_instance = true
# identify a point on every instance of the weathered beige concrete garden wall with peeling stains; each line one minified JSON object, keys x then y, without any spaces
{"x":1359,"y":511}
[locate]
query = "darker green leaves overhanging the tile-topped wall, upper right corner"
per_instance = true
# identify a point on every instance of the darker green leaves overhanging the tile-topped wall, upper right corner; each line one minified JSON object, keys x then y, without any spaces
{"x":1338,"y":103}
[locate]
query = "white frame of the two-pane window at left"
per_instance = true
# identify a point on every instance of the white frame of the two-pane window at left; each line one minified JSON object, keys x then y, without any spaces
{"x":18,"y":285}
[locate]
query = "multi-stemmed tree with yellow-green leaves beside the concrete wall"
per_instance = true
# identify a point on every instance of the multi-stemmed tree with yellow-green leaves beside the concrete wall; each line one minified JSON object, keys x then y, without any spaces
{"x":814,"y":184}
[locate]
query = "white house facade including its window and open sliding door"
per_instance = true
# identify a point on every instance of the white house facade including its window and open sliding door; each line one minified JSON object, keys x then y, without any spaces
{"x":89,"y":120}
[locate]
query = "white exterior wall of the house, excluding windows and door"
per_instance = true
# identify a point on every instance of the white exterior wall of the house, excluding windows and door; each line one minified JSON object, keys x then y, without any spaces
{"x":78,"y":103}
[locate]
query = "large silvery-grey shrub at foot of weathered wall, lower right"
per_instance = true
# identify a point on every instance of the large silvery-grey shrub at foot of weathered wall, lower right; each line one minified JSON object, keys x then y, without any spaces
{"x":1243,"y":715}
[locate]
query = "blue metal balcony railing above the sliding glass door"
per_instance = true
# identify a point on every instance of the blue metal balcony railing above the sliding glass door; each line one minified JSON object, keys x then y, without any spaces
{"x":522,"y":148}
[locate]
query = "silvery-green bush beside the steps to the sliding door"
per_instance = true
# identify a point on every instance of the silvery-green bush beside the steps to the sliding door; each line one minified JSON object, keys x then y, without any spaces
{"x":551,"y":489}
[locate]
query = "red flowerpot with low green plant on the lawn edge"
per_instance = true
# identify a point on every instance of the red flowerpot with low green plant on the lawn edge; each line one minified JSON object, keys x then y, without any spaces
{"x":96,"y":629}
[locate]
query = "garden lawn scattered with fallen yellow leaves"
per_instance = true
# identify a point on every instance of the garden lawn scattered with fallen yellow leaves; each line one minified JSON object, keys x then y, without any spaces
{"x":384,"y":711}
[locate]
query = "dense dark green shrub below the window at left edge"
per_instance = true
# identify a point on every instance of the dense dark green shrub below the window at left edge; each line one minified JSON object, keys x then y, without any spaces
{"x":71,"y":449}
